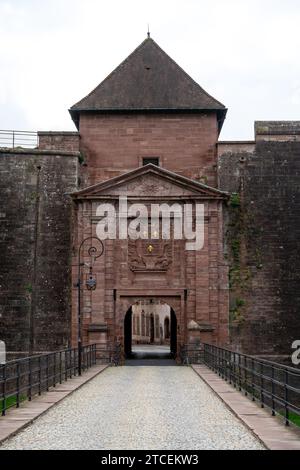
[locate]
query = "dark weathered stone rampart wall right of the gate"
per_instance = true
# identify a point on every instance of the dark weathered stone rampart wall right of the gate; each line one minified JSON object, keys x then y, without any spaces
{"x":262,"y":232}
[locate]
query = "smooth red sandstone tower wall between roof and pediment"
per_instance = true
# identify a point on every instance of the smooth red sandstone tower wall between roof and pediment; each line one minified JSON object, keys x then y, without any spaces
{"x":114,"y":144}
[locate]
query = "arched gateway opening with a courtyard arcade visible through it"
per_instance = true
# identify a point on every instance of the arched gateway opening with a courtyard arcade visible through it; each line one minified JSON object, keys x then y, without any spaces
{"x":150,"y":330}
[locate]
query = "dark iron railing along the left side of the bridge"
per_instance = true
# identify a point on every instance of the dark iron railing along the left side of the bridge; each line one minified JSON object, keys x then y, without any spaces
{"x":23,"y":379}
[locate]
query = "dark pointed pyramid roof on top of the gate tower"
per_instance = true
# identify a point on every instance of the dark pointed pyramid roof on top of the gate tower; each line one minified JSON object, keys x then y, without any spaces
{"x":148,"y":81}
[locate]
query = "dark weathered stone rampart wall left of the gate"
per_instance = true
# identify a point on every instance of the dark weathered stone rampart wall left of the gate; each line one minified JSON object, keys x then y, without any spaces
{"x":35,"y":248}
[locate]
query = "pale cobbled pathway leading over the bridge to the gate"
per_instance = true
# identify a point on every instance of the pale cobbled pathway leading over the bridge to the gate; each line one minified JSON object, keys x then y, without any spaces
{"x":139,"y":408}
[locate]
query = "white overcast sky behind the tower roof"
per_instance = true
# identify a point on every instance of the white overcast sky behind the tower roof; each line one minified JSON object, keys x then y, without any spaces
{"x":246,"y":53}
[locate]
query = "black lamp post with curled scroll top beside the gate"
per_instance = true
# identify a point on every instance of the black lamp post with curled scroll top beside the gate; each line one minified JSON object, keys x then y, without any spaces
{"x":94,"y":252}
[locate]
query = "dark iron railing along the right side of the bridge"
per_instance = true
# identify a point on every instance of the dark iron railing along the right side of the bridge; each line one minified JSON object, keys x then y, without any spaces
{"x":269,"y":383}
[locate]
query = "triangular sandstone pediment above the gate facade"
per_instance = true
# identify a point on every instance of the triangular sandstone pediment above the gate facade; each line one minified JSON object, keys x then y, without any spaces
{"x":150,"y":182}
